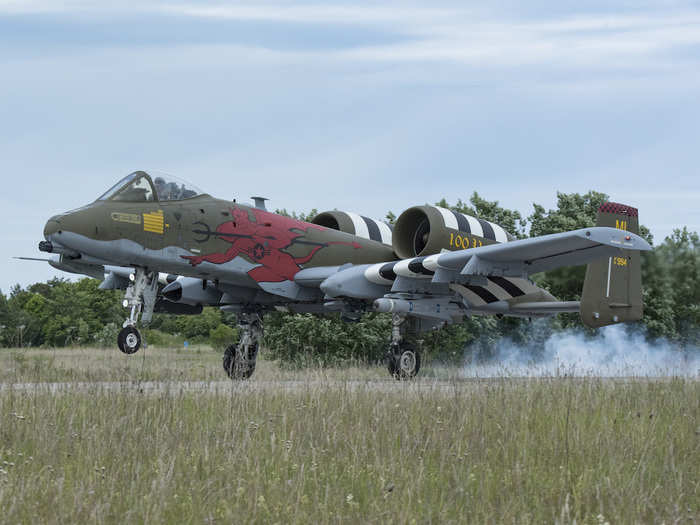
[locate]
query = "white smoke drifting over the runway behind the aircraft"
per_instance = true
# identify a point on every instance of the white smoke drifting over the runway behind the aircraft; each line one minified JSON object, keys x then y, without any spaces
{"x":613,"y":352}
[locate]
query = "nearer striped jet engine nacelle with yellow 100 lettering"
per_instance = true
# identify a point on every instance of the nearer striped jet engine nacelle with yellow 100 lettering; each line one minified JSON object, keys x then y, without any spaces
{"x":427,"y":230}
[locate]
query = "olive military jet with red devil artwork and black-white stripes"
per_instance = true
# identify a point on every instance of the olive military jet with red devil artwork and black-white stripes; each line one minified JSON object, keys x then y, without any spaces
{"x":176,"y":249}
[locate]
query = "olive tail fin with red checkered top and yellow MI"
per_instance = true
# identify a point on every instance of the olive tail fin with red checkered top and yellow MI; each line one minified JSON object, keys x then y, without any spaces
{"x":612,"y":290}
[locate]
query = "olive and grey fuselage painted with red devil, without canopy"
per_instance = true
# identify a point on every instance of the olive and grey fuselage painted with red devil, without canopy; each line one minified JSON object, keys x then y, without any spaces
{"x":206,"y":238}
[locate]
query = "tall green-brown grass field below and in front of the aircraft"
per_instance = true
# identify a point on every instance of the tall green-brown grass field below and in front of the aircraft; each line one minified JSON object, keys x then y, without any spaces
{"x":337,"y":448}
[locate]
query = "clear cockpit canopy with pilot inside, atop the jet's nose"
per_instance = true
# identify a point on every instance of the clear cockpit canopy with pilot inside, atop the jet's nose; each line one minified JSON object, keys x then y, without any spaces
{"x":139,"y":186}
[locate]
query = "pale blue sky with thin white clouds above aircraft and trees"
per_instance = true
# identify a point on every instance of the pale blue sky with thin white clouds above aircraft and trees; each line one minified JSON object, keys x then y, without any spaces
{"x":361,"y":107}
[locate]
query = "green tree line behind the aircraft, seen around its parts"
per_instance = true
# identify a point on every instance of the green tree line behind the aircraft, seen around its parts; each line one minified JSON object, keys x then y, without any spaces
{"x":60,"y":312}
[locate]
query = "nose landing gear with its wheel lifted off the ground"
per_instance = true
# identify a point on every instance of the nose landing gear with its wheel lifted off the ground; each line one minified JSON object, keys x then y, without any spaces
{"x":141,"y":297}
